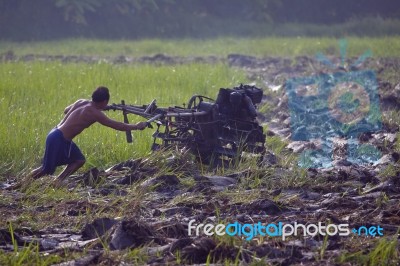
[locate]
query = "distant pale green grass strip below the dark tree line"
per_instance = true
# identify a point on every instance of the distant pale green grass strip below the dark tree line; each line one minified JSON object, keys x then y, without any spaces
{"x":272,"y":46}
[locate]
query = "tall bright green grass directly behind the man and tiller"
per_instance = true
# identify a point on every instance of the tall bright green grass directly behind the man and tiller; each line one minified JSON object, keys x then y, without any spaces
{"x":34,"y":95}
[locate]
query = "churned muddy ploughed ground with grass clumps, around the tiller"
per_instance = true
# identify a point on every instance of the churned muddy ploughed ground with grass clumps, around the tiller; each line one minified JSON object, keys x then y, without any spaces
{"x":155,"y":198}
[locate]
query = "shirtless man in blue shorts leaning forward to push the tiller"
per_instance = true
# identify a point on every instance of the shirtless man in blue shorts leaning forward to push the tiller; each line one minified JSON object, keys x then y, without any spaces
{"x":61,"y":150}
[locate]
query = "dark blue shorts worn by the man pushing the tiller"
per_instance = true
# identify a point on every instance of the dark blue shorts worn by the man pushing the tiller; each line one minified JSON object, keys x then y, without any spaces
{"x":59,"y":151}
